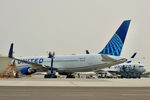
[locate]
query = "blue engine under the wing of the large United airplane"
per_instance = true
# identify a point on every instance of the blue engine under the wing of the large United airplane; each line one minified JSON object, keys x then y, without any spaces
{"x":26,"y":70}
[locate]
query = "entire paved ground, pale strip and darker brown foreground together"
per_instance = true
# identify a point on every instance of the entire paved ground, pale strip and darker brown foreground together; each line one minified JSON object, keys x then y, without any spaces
{"x":38,"y":88}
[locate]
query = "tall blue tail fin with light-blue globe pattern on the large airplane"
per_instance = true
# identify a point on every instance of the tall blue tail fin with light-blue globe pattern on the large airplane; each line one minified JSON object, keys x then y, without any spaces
{"x":114,"y":46}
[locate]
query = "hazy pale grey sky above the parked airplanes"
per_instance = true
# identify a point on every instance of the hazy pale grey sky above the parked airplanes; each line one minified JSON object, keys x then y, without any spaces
{"x":72,"y":26}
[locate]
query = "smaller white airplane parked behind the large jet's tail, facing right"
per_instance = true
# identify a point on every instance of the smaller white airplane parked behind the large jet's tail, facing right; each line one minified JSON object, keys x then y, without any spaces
{"x":126,"y":70}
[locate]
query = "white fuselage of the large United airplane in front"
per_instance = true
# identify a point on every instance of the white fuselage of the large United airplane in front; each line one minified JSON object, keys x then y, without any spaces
{"x":74,"y":63}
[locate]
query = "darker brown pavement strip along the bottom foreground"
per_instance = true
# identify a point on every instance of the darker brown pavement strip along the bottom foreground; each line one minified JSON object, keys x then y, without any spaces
{"x":74,"y":93}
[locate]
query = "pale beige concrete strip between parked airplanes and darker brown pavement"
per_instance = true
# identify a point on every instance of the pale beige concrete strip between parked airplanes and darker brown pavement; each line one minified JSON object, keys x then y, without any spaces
{"x":61,"y":82}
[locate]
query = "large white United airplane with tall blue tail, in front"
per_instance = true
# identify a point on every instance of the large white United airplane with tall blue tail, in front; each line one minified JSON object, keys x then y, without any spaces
{"x":69,"y":64}
